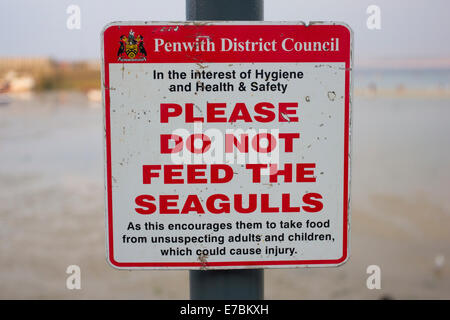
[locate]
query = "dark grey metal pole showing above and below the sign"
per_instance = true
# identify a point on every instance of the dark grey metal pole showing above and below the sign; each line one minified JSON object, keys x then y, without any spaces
{"x":226,"y":284}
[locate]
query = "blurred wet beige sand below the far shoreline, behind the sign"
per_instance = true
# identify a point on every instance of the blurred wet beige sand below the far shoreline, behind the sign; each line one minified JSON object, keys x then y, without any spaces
{"x":52,"y":212}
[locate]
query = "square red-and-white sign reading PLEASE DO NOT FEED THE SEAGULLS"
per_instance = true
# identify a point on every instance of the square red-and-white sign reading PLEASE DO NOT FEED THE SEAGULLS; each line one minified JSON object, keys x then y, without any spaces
{"x":227,"y":144}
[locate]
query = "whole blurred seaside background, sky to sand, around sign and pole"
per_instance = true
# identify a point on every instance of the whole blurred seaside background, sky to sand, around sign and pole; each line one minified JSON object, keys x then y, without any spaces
{"x":51,"y":152}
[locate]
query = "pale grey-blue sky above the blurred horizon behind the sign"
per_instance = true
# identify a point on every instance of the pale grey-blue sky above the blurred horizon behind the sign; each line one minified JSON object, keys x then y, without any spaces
{"x":411,"y":30}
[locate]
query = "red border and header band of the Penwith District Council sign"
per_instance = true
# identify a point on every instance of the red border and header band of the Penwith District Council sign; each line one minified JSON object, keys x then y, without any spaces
{"x":110,"y":39}
